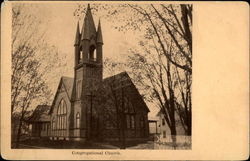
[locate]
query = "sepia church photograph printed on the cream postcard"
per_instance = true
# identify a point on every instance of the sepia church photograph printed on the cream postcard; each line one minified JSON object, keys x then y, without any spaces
{"x":101,"y":76}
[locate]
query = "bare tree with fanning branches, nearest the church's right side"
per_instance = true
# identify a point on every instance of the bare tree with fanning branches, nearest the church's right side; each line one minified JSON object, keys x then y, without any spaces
{"x":160,"y":79}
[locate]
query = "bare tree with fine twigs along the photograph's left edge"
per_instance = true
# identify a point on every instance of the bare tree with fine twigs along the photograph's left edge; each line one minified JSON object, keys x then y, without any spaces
{"x":30,"y":65}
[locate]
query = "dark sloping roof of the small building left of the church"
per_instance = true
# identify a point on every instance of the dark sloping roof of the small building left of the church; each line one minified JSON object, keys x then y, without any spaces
{"x":40,"y":114}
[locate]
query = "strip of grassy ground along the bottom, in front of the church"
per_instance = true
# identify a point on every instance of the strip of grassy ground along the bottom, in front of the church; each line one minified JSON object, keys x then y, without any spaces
{"x":63,"y":144}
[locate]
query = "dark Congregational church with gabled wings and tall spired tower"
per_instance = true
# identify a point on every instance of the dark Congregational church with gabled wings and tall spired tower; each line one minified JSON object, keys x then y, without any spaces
{"x":90,"y":107}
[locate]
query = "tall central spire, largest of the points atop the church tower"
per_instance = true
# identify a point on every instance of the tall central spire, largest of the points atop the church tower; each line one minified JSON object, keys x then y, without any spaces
{"x":88,"y":28}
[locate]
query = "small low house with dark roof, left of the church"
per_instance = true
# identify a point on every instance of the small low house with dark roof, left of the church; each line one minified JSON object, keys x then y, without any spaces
{"x":39,"y":122}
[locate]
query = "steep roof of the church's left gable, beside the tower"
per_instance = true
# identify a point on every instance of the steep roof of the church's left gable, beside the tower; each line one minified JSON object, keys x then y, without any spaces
{"x":67,"y":83}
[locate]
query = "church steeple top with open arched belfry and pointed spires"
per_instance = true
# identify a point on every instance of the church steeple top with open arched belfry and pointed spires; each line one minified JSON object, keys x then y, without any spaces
{"x":89,"y":46}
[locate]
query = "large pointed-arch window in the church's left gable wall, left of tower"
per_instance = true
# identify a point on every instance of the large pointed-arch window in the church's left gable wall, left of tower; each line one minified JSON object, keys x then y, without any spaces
{"x":62,"y":115}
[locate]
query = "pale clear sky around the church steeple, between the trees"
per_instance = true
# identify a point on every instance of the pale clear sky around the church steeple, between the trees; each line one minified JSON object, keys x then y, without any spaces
{"x":60,"y":25}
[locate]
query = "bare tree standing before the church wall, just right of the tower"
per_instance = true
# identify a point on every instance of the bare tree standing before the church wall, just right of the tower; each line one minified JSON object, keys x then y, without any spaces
{"x":114,"y":92}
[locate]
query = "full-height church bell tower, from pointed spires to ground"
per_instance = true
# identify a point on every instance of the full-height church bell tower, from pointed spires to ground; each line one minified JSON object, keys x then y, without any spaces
{"x":88,"y":70}
